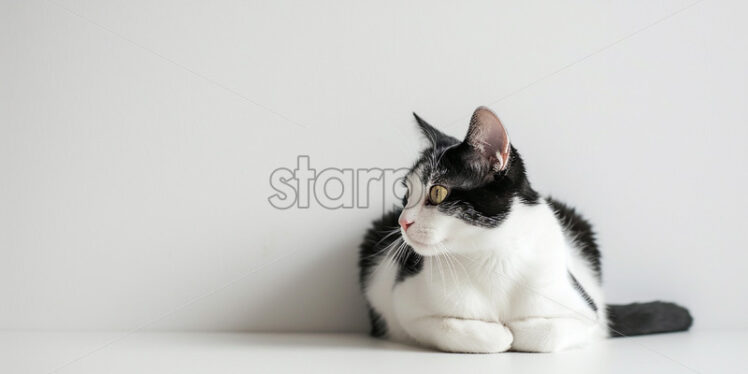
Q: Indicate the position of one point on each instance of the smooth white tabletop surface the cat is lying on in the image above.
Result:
(20, 353)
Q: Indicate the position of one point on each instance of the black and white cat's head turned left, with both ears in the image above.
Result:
(458, 191)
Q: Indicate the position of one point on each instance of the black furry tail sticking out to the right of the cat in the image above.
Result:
(647, 318)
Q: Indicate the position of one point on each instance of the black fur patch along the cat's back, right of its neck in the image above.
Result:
(580, 230)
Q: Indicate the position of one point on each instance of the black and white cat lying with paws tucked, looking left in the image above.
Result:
(478, 261)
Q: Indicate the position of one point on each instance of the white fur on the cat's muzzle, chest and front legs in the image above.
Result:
(488, 290)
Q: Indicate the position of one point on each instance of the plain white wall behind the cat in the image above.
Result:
(137, 139)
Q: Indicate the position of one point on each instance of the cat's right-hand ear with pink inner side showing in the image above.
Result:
(488, 138)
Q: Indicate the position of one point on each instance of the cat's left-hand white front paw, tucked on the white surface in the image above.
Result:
(473, 336)
